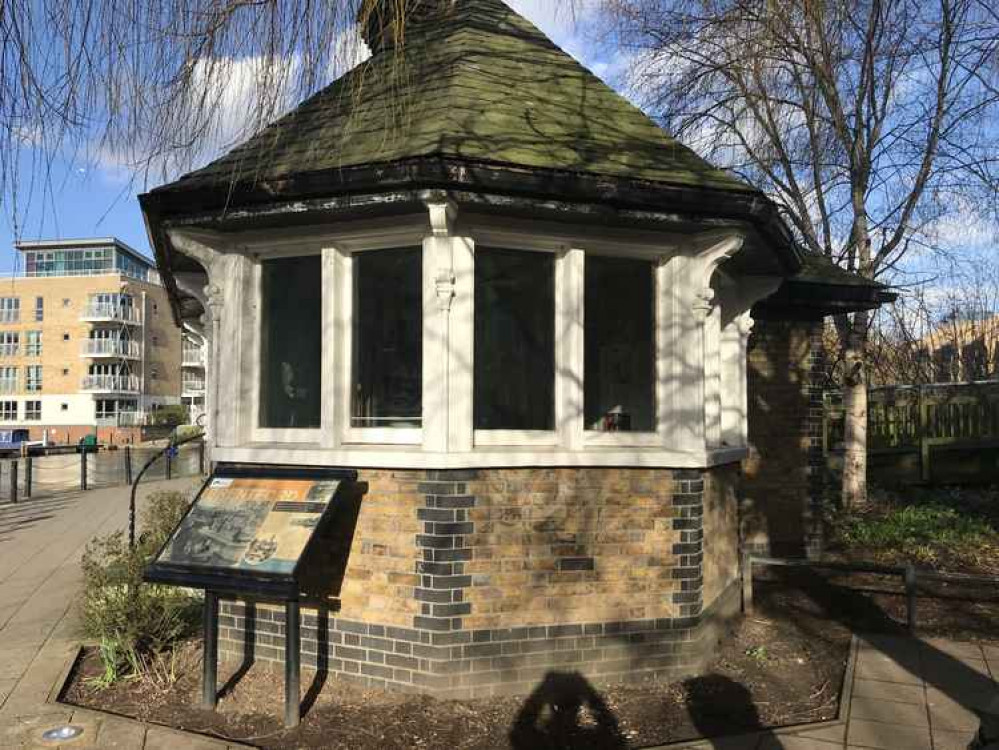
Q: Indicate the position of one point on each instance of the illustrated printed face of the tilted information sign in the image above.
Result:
(250, 524)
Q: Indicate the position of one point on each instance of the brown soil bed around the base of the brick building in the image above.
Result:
(783, 665)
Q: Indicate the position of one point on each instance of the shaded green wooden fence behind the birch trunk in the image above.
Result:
(932, 433)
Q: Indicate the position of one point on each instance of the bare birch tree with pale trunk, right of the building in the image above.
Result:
(866, 119)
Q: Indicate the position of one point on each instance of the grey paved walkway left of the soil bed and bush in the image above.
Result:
(41, 542)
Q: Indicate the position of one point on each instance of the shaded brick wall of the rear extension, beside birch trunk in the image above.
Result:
(782, 490)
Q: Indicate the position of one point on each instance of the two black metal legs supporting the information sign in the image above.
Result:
(292, 661)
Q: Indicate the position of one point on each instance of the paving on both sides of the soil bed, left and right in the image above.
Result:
(902, 694)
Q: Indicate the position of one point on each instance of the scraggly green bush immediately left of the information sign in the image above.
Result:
(135, 623)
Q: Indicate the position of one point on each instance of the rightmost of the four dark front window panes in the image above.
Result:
(620, 345)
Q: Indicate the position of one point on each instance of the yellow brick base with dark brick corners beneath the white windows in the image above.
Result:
(477, 582)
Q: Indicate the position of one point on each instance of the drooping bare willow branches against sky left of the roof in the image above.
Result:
(157, 87)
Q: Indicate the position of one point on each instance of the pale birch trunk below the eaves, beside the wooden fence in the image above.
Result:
(855, 415)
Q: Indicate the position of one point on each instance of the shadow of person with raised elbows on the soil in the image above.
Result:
(565, 713)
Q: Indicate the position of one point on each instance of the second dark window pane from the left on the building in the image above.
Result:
(387, 351)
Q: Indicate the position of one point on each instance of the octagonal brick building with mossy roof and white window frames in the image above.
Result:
(474, 273)
